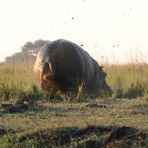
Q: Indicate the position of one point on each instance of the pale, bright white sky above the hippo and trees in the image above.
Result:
(113, 31)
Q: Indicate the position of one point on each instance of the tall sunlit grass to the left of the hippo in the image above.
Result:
(16, 82)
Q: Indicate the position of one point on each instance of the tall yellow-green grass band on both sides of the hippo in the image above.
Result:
(126, 81)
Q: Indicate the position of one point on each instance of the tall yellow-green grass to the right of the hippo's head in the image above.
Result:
(129, 80)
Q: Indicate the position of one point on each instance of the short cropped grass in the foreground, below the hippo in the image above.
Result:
(63, 124)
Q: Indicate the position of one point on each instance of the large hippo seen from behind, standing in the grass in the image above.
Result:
(63, 66)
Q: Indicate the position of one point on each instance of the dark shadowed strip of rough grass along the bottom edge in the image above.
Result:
(72, 136)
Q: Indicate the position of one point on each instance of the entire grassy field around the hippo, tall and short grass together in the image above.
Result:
(119, 121)
